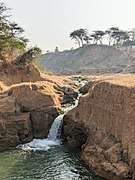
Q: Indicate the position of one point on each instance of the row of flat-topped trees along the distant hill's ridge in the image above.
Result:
(112, 36)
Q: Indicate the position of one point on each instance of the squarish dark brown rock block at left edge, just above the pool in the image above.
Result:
(16, 129)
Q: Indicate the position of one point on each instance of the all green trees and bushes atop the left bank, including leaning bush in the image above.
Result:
(13, 45)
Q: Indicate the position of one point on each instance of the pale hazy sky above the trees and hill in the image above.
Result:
(48, 23)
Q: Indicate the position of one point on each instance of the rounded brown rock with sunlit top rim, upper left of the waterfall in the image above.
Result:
(29, 98)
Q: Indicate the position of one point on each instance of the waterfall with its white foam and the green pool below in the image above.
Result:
(45, 159)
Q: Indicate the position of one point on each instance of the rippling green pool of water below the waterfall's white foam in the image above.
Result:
(56, 163)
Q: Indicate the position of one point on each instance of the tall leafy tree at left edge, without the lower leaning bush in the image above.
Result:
(11, 40)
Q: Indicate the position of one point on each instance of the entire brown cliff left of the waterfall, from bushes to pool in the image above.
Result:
(29, 102)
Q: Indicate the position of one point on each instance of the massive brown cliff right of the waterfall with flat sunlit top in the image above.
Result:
(103, 125)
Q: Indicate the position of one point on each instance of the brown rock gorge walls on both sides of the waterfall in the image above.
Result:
(101, 126)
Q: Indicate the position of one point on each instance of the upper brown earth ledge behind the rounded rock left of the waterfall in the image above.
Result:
(11, 75)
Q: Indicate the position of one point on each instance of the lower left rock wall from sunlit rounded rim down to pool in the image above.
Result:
(26, 111)
